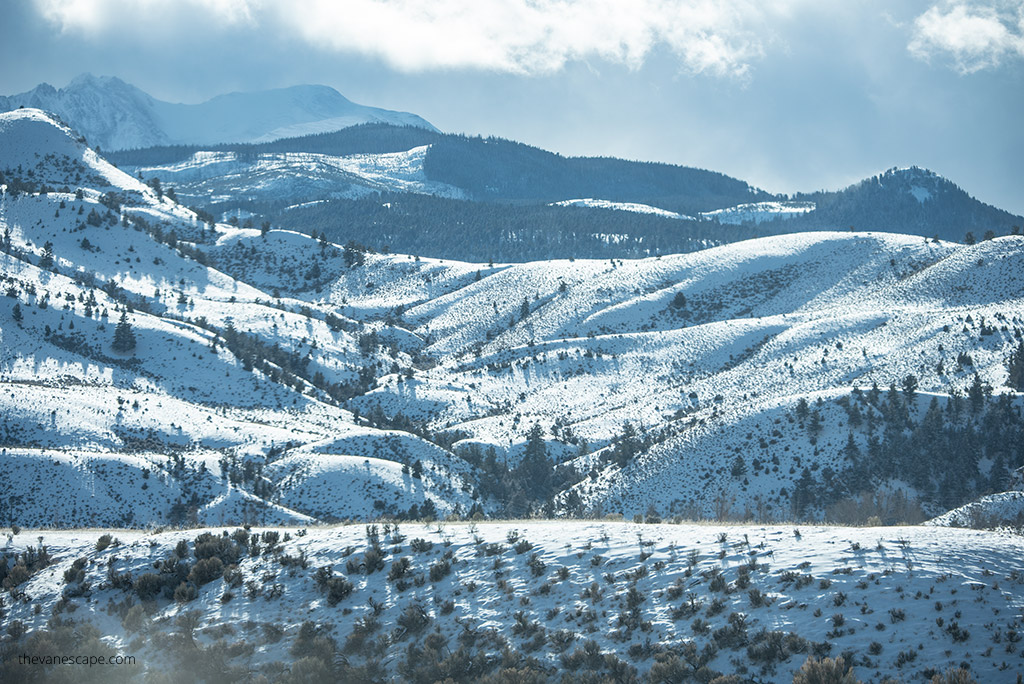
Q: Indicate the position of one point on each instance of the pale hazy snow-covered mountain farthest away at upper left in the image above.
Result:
(115, 115)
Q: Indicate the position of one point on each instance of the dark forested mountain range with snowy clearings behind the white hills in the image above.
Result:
(471, 198)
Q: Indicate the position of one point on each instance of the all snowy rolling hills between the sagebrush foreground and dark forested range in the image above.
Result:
(278, 378)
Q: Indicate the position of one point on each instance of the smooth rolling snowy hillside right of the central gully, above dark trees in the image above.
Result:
(585, 348)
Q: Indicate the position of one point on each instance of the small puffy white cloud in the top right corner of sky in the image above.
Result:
(974, 36)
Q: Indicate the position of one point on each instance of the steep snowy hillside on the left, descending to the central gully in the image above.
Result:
(224, 380)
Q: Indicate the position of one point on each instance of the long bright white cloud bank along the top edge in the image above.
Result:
(721, 38)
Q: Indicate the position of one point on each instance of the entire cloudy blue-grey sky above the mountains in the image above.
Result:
(790, 96)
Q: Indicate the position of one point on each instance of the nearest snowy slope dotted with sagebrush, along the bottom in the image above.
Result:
(526, 602)
